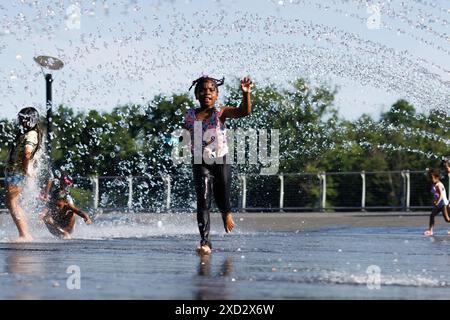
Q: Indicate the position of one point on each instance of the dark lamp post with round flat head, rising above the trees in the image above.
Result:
(49, 63)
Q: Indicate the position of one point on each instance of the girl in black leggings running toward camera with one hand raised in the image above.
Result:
(211, 172)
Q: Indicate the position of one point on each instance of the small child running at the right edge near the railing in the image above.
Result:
(440, 201)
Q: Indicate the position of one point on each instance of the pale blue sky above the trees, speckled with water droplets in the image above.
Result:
(126, 51)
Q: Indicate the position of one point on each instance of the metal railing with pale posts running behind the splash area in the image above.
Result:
(324, 191)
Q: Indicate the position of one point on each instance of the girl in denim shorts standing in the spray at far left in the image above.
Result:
(18, 166)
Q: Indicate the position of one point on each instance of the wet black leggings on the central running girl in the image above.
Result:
(211, 177)
